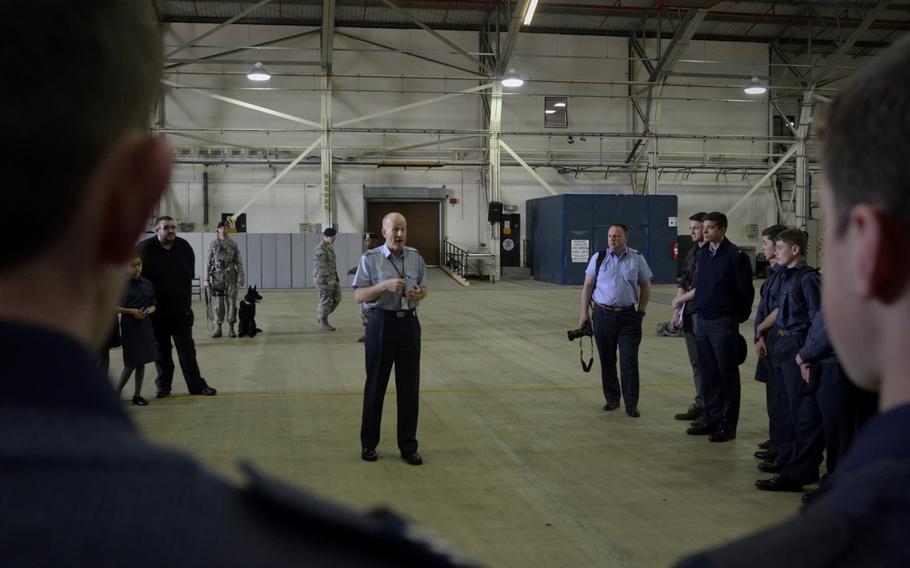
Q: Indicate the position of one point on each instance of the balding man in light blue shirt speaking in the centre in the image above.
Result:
(391, 281)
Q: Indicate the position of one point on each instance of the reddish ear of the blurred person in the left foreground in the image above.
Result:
(133, 185)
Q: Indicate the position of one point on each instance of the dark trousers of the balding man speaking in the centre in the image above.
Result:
(392, 340)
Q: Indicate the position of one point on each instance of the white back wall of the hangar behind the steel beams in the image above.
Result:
(297, 197)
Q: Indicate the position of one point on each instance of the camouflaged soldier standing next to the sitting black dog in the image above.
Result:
(224, 275)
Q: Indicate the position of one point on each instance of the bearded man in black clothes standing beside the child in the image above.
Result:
(170, 264)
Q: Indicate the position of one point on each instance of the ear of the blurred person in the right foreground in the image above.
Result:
(878, 239)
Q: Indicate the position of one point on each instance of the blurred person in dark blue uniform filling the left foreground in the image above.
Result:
(79, 484)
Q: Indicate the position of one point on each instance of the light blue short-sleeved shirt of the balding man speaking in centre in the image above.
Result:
(379, 264)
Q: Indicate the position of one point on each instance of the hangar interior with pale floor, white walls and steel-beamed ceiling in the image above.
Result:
(403, 101)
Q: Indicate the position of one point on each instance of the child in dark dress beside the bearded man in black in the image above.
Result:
(138, 337)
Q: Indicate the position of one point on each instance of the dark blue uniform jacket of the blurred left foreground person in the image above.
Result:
(80, 487)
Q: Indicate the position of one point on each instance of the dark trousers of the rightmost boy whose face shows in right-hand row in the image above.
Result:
(806, 421)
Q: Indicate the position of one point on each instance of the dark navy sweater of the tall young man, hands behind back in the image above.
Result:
(723, 285)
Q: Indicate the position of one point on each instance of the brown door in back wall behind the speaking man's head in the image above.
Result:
(424, 231)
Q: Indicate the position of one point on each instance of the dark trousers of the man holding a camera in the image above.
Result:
(622, 330)
